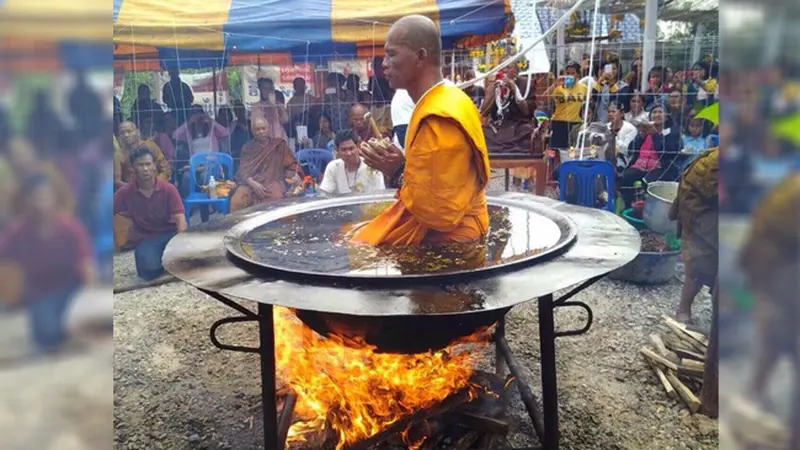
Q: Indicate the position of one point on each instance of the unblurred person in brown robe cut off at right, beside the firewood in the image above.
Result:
(697, 211)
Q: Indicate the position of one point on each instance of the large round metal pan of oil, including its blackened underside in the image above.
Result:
(309, 242)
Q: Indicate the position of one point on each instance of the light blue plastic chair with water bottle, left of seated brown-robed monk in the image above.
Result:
(220, 165)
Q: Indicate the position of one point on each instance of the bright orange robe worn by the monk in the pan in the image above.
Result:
(443, 198)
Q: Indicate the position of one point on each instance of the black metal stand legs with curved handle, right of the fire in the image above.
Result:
(545, 420)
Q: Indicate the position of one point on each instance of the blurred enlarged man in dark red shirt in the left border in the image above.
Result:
(51, 252)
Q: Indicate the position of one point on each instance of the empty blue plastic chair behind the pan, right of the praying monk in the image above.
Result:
(585, 173)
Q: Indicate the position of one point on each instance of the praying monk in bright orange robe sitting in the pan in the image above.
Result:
(443, 176)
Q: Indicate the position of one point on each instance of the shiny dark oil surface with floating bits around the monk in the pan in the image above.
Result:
(318, 242)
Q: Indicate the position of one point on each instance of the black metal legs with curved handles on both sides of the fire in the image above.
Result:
(545, 421)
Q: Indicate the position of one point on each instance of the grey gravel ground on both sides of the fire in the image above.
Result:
(174, 390)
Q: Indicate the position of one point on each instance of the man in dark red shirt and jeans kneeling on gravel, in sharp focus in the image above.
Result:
(156, 210)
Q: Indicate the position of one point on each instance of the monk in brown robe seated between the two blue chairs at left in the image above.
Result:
(266, 169)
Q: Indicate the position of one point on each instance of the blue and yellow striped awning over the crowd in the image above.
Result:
(310, 27)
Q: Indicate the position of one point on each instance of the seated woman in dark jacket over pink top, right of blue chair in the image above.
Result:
(652, 154)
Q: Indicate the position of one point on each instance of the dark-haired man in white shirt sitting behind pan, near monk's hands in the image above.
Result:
(348, 174)
